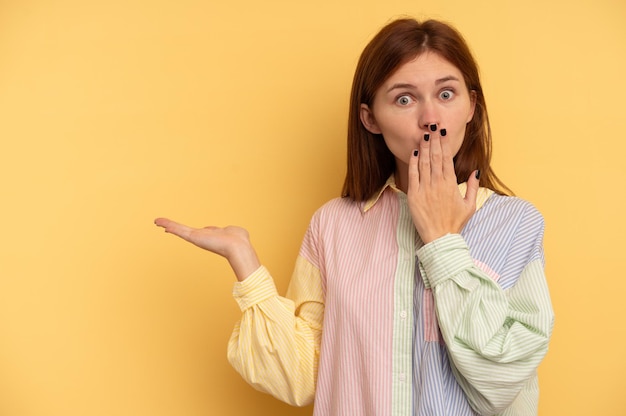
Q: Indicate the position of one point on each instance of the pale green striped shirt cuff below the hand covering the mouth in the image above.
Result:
(443, 258)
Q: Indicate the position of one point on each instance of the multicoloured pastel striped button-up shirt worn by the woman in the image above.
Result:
(377, 323)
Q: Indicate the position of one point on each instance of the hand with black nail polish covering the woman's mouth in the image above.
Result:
(436, 205)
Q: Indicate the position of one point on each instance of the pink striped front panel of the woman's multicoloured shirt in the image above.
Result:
(357, 256)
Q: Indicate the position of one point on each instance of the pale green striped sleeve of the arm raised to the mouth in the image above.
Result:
(495, 338)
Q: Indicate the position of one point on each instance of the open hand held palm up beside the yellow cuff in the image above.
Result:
(232, 243)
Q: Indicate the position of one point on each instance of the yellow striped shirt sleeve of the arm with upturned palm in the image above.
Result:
(275, 346)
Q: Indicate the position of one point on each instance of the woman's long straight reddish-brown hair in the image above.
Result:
(370, 162)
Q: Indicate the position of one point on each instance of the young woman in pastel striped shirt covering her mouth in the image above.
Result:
(418, 292)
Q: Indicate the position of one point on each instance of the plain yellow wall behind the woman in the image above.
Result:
(215, 112)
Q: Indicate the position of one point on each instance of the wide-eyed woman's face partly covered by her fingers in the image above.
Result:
(427, 90)
